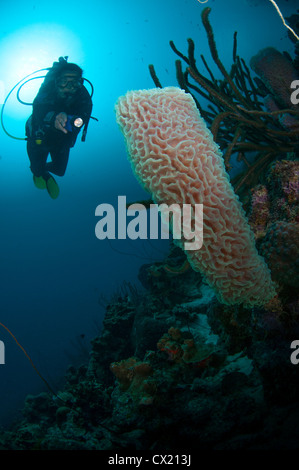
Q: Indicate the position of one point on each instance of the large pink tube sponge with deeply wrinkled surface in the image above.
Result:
(174, 156)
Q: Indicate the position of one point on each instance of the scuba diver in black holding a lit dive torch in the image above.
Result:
(60, 109)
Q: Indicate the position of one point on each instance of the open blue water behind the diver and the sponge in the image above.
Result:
(53, 268)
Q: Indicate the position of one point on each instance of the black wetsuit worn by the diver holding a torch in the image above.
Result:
(44, 139)
